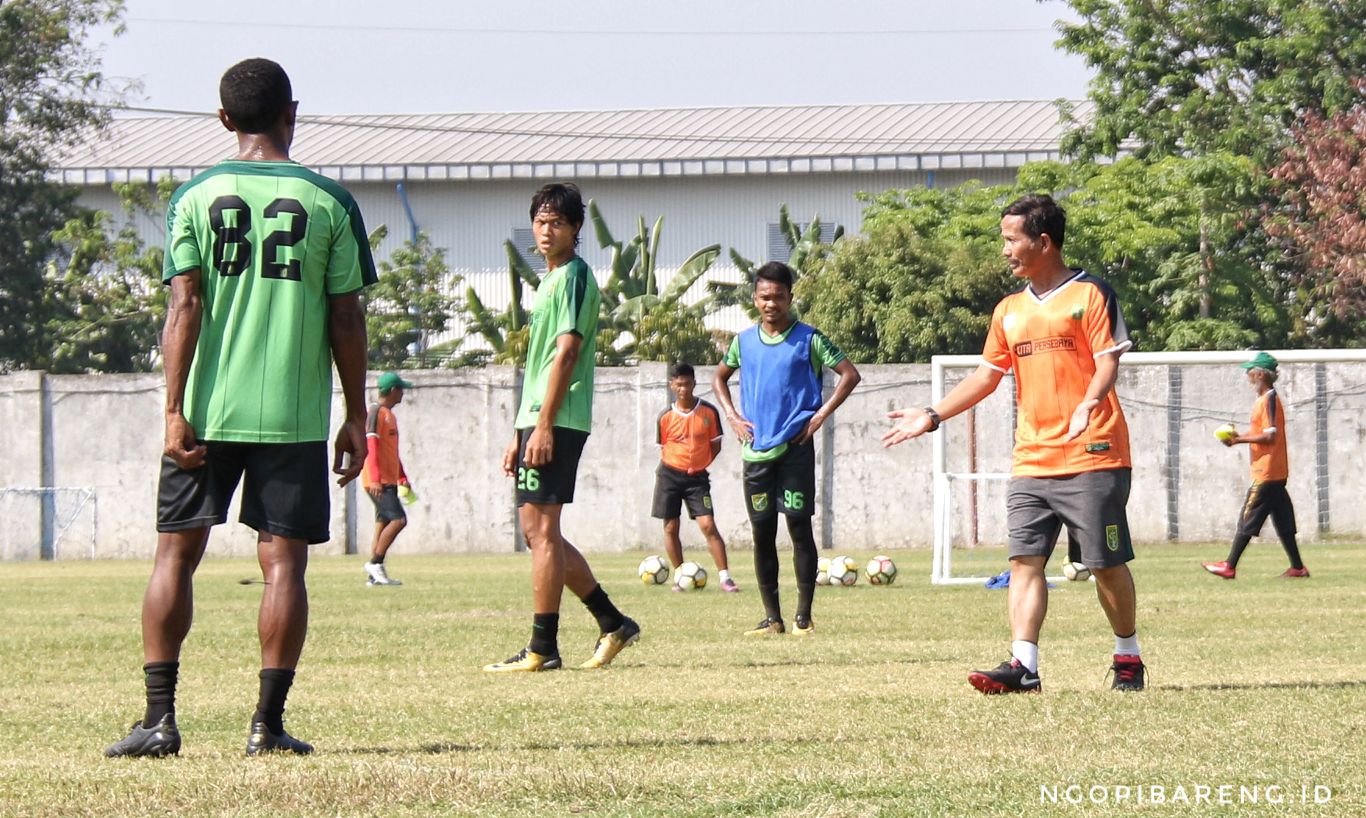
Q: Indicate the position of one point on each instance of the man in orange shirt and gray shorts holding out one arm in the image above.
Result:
(1062, 335)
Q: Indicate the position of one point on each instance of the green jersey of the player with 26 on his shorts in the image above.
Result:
(568, 301)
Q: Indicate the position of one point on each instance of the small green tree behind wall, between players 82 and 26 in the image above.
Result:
(409, 304)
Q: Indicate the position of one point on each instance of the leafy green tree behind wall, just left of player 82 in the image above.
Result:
(104, 302)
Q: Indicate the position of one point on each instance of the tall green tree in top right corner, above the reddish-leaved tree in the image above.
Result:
(1186, 77)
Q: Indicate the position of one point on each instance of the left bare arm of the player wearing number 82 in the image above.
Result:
(178, 342)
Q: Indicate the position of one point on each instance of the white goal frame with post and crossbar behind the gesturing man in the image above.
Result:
(942, 567)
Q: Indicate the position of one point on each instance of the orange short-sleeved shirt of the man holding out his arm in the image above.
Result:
(1053, 343)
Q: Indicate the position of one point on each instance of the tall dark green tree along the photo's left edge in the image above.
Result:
(51, 94)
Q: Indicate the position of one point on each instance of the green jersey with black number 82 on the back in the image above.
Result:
(273, 242)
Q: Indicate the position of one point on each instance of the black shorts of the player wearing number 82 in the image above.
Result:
(285, 494)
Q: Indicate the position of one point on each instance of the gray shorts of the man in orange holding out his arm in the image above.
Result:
(1092, 507)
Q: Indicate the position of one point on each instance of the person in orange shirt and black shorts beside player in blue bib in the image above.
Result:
(689, 434)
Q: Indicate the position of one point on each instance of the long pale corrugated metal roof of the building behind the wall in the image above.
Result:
(647, 143)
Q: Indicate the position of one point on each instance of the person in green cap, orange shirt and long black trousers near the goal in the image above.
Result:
(1271, 470)
